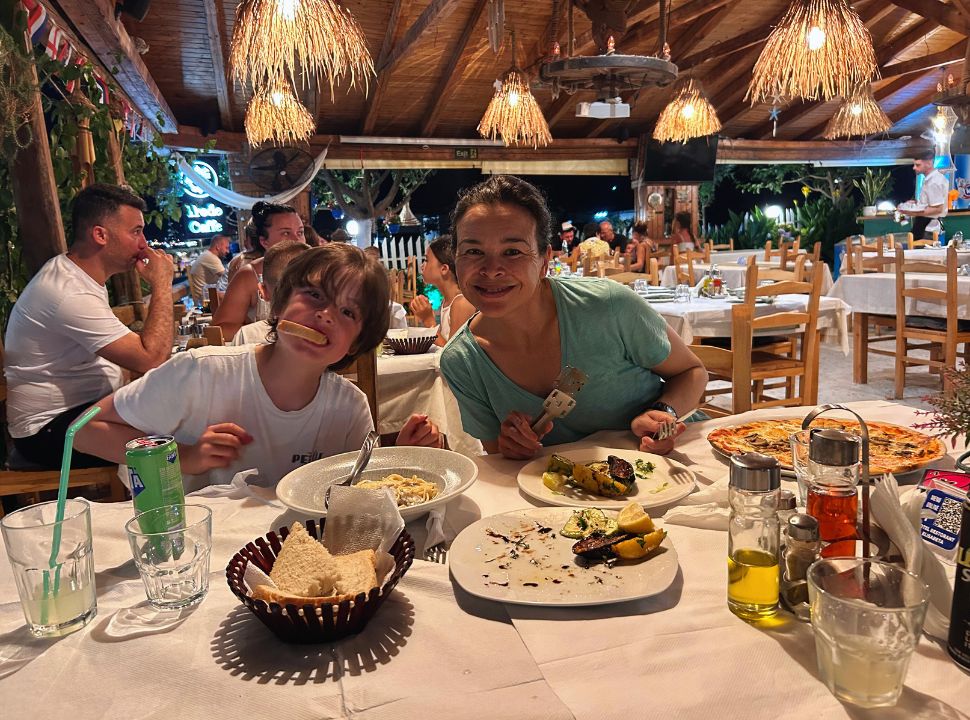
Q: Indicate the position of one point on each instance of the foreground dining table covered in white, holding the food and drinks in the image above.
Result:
(436, 650)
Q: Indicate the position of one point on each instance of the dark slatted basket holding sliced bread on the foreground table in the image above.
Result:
(309, 624)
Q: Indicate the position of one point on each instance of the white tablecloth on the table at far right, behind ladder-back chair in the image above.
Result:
(875, 293)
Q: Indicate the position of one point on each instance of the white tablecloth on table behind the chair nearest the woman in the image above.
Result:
(709, 317)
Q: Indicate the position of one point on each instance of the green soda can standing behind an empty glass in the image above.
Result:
(155, 478)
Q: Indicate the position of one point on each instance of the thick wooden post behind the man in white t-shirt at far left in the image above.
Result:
(40, 228)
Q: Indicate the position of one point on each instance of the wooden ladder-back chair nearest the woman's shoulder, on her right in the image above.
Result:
(748, 367)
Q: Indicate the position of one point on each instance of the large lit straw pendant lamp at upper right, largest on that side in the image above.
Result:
(820, 49)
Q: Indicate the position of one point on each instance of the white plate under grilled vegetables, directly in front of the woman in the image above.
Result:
(680, 481)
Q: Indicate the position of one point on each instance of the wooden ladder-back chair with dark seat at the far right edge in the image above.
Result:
(939, 335)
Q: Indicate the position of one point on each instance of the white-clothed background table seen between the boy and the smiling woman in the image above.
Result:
(409, 384)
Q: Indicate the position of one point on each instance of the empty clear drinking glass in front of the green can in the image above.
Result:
(174, 563)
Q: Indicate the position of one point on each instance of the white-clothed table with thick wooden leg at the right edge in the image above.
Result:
(875, 294)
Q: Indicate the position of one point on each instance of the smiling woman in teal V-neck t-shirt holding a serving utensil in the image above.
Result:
(505, 360)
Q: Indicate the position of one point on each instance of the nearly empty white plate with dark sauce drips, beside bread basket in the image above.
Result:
(480, 563)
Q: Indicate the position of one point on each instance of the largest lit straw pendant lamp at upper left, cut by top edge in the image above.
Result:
(298, 39)
